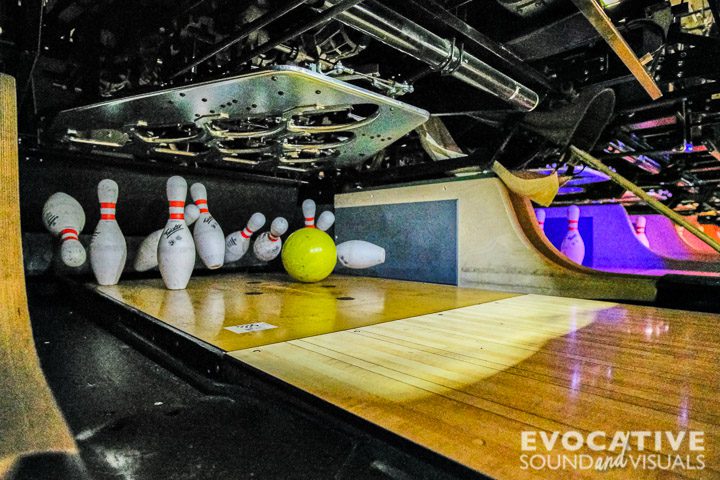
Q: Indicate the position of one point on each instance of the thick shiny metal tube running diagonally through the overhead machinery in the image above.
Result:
(394, 30)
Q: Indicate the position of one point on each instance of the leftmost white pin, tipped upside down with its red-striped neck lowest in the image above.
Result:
(64, 217)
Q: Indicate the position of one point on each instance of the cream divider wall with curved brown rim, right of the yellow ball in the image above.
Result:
(500, 246)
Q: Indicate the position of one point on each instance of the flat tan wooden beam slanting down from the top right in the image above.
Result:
(602, 23)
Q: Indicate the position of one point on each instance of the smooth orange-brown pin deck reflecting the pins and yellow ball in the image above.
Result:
(210, 304)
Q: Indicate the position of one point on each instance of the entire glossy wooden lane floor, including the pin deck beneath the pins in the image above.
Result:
(463, 372)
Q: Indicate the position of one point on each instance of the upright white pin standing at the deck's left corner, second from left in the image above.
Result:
(108, 250)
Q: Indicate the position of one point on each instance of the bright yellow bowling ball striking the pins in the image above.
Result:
(309, 255)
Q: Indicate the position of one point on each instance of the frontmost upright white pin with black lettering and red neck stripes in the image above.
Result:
(176, 249)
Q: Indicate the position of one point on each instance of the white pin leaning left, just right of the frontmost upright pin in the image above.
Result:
(209, 239)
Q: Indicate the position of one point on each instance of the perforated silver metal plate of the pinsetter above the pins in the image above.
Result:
(286, 116)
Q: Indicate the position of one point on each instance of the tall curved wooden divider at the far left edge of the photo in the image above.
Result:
(29, 418)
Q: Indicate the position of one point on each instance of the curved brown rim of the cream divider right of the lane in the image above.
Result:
(608, 285)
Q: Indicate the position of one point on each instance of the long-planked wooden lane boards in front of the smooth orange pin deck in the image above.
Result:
(465, 383)
